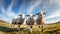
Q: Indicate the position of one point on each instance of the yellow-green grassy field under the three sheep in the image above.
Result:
(5, 28)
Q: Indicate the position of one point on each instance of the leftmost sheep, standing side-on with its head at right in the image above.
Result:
(18, 21)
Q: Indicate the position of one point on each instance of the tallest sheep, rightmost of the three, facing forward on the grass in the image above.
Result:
(40, 19)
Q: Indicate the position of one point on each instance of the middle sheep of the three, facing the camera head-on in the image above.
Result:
(30, 22)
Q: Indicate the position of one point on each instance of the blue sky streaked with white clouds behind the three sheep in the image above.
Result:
(12, 8)
